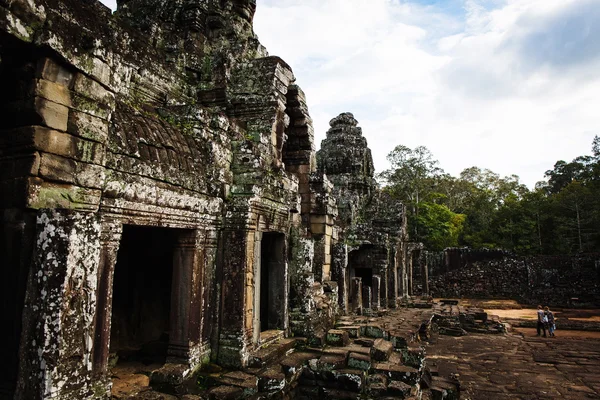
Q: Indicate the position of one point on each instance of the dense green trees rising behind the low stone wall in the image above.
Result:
(479, 208)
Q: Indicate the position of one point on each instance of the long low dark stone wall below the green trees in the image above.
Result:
(563, 281)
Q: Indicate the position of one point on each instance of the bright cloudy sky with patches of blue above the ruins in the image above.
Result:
(509, 85)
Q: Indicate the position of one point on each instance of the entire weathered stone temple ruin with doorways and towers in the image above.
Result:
(161, 194)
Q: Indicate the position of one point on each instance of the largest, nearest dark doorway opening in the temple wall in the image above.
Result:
(141, 304)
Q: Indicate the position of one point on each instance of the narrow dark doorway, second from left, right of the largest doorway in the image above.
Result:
(272, 282)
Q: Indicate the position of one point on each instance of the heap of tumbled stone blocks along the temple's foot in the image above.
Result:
(361, 358)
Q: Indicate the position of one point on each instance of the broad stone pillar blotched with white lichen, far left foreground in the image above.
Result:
(61, 307)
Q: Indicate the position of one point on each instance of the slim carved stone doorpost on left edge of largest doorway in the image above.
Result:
(111, 232)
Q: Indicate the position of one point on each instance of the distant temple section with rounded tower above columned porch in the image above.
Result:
(369, 262)
